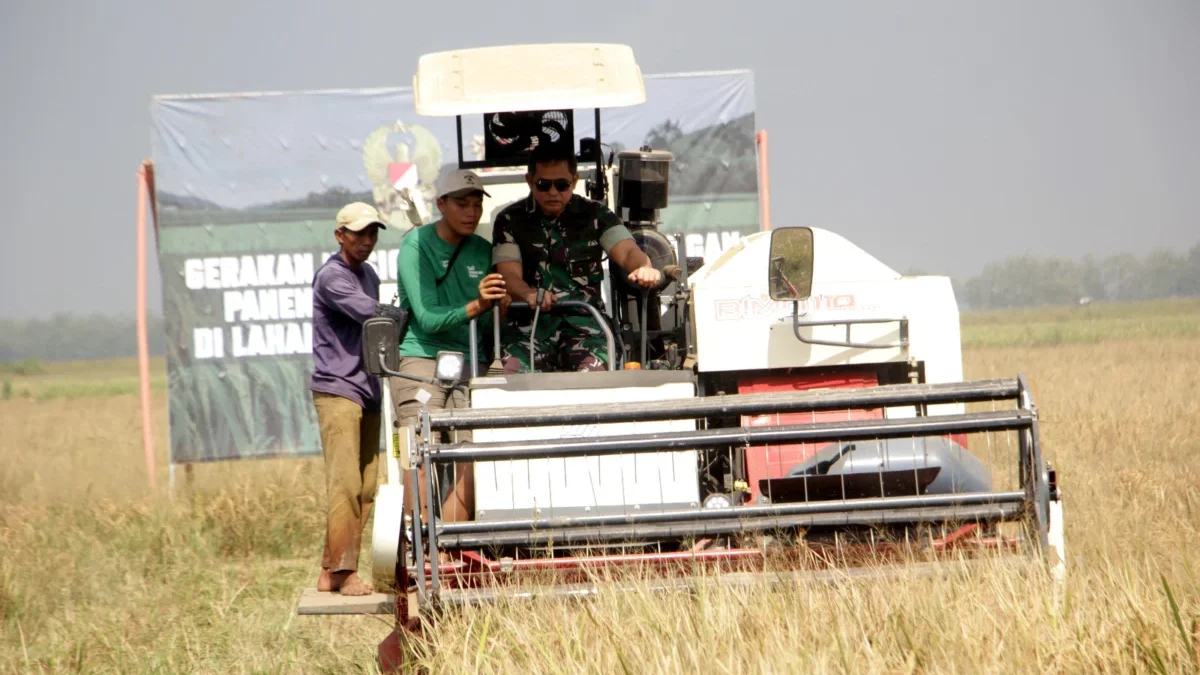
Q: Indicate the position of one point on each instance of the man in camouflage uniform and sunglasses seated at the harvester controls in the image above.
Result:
(555, 241)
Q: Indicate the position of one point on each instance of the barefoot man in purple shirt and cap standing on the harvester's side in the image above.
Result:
(349, 401)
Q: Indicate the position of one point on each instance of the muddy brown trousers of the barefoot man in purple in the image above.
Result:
(350, 439)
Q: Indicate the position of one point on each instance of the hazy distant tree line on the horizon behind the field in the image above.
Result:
(1023, 282)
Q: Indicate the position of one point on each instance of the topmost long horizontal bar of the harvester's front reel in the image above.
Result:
(889, 396)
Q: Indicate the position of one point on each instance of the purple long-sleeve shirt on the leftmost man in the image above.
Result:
(341, 301)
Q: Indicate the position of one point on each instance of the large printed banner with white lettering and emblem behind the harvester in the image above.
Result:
(248, 189)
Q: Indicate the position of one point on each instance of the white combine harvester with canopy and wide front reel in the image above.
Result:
(791, 407)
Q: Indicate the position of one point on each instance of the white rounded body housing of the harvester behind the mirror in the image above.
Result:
(741, 330)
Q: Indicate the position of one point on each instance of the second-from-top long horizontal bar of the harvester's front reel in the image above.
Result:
(854, 431)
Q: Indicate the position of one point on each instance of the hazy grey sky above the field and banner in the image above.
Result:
(938, 135)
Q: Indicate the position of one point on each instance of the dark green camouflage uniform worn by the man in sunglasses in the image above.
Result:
(561, 255)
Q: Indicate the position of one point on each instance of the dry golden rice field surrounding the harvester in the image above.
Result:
(99, 576)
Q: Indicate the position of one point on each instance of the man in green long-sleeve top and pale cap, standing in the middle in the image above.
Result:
(445, 283)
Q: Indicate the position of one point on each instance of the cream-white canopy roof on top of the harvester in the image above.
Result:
(527, 77)
